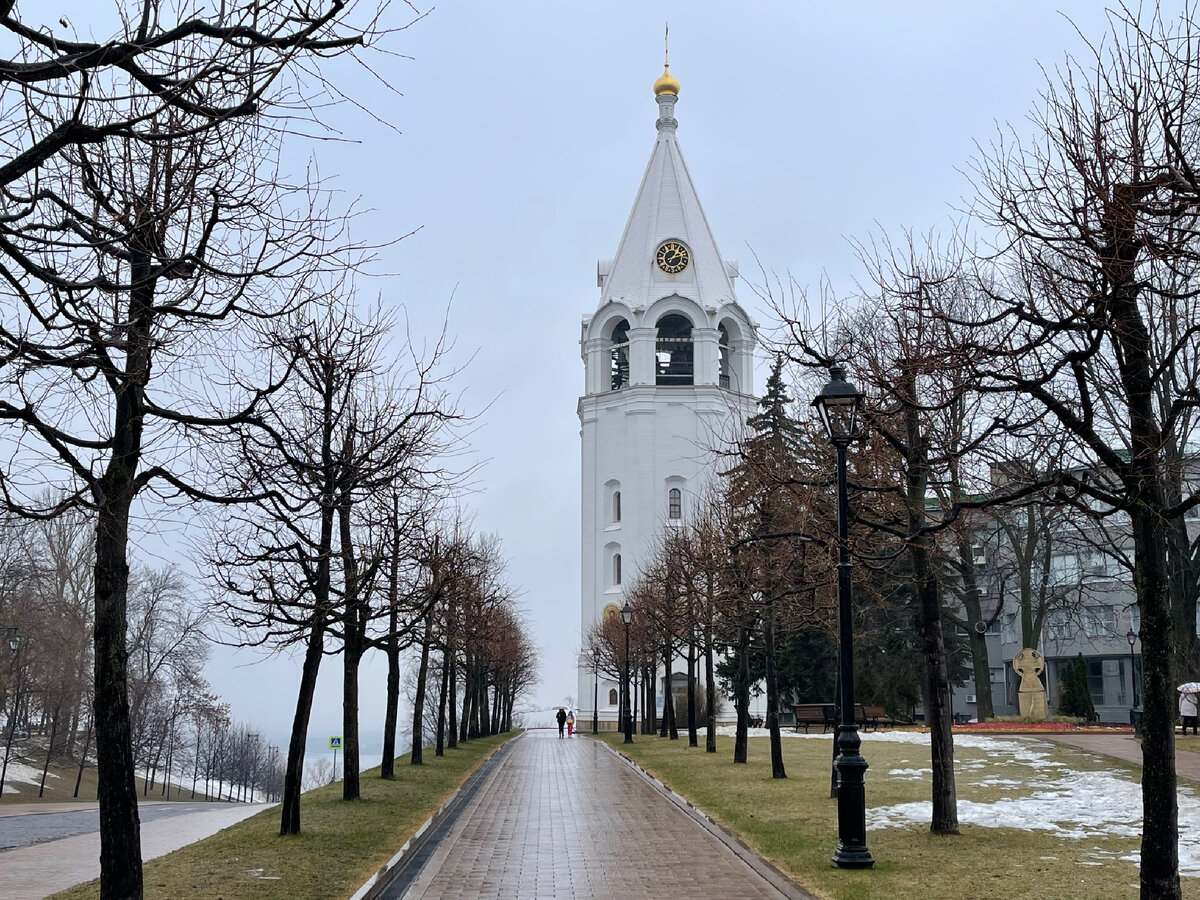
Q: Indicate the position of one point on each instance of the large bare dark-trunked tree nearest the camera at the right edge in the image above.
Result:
(1097, 218)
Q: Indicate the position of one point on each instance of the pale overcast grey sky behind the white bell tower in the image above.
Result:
(521, 137)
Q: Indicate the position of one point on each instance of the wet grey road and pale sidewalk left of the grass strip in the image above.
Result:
(38, 869)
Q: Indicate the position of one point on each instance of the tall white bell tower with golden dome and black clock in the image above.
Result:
(669, 379)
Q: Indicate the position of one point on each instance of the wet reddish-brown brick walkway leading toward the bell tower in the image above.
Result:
(568, 819)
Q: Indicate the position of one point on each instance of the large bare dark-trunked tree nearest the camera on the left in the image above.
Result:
(145, 231)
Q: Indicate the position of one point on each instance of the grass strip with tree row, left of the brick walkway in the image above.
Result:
(343, 844)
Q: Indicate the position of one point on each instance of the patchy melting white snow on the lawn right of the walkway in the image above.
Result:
(1075, 806)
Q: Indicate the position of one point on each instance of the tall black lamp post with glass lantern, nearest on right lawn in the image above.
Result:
(838, 406)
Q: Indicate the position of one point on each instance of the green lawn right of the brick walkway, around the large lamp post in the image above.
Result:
(793, 823)
